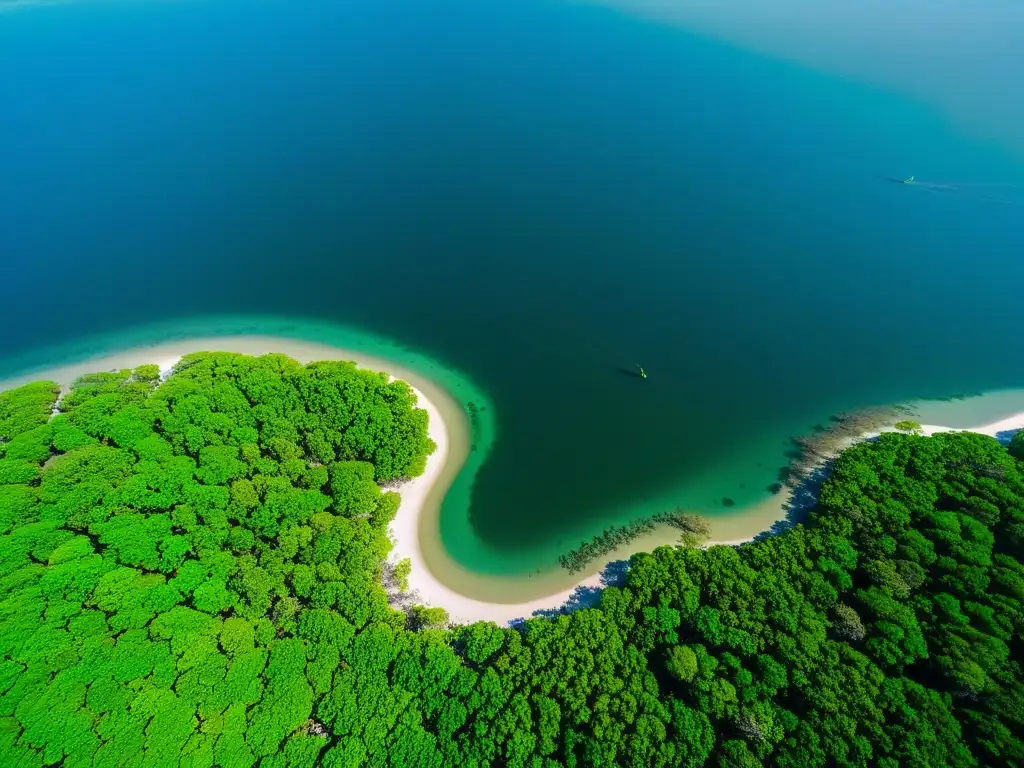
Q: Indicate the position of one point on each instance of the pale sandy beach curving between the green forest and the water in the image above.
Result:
(437, 580)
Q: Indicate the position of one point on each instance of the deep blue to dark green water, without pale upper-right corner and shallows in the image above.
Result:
(540, 194)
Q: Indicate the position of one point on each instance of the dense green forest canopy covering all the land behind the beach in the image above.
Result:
(191, 575)
